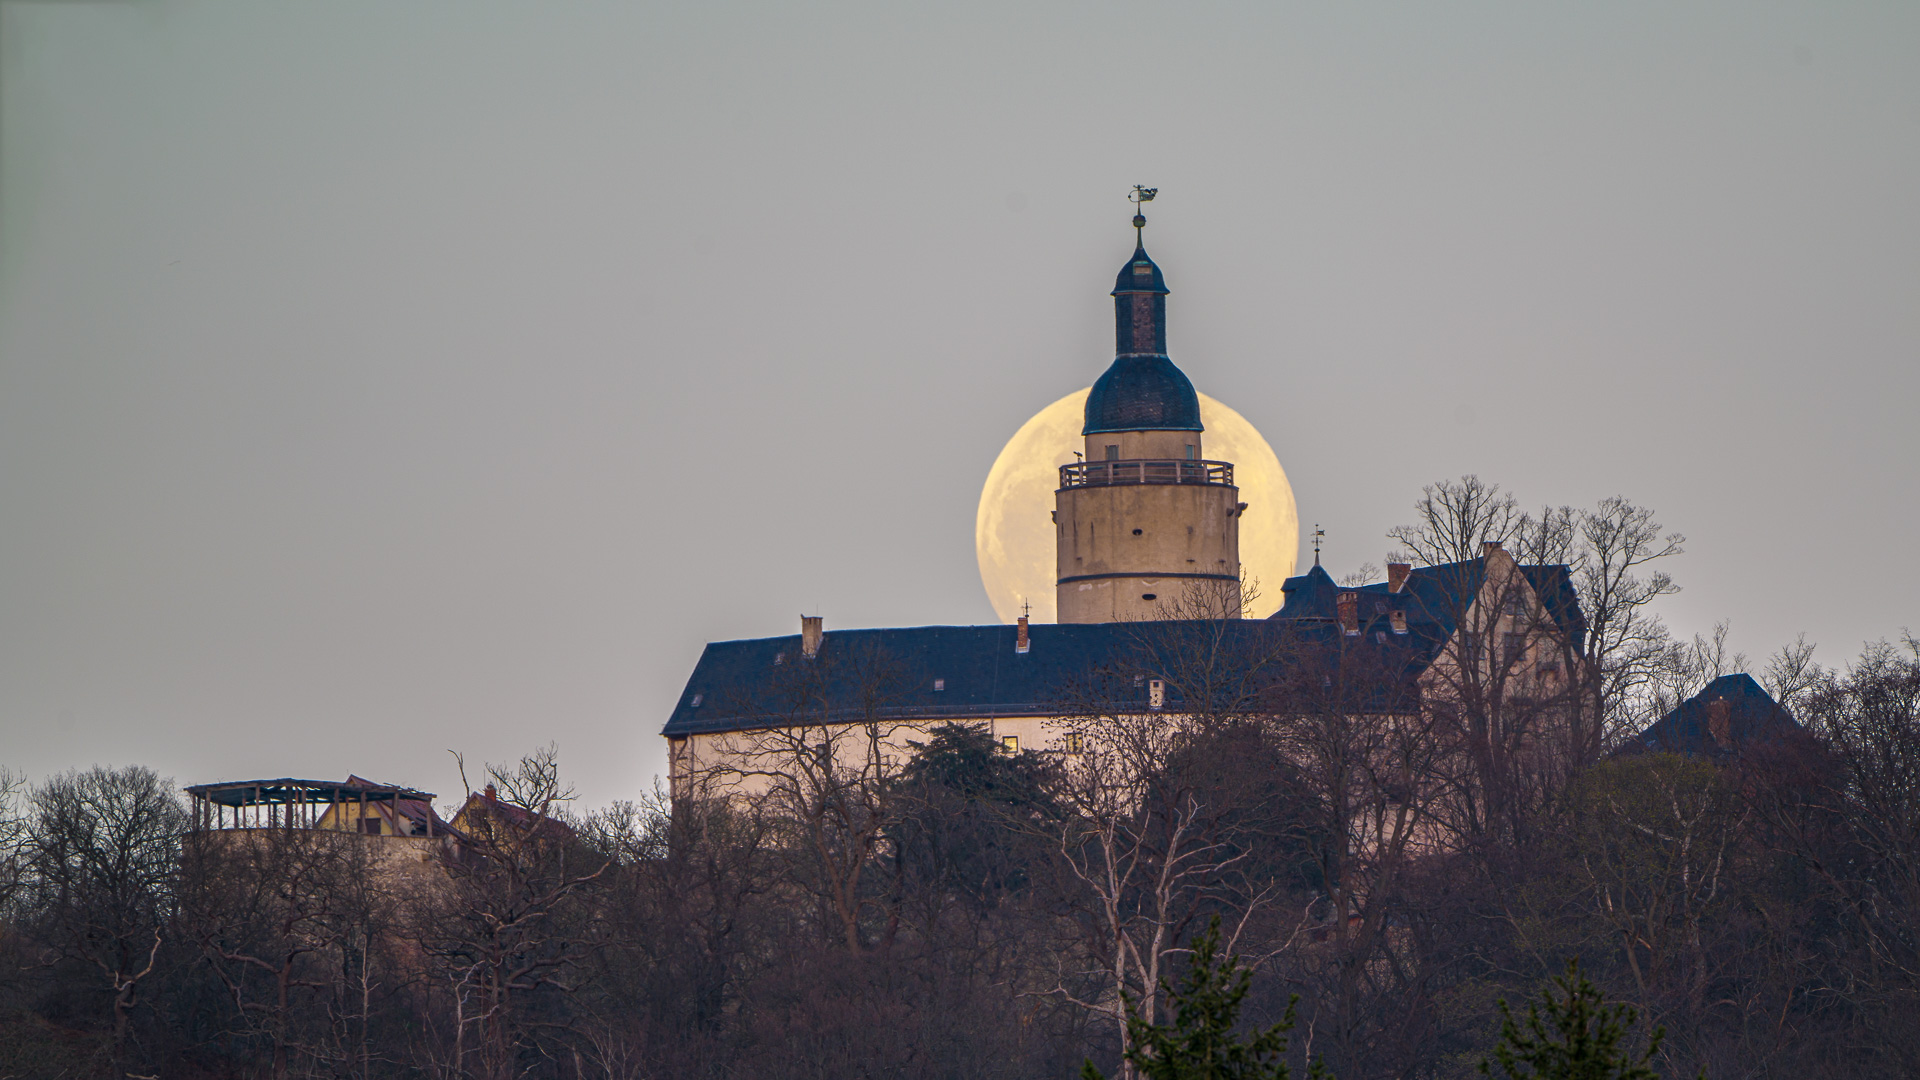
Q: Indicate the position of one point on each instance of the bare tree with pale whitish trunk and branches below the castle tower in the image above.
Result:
(1164, 800)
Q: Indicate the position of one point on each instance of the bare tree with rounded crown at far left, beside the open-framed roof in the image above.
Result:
(101, 858)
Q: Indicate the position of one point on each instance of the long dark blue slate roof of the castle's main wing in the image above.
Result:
(750, 683)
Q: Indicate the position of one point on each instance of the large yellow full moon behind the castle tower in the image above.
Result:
(1015, 533)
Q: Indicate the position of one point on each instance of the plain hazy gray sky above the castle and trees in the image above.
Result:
(387, 380)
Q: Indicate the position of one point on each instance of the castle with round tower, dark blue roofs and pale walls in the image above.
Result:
(1147, 541)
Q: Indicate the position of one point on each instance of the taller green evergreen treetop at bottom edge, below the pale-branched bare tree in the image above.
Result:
(1201, 1043)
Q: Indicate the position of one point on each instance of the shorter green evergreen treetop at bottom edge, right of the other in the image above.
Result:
(1572, 1037)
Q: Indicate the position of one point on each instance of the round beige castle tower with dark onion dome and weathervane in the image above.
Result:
(1145, 522)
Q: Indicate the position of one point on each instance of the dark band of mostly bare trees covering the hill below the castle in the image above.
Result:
(1389, 858)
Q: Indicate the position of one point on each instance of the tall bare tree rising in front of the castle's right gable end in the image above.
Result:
(1602, 647)
